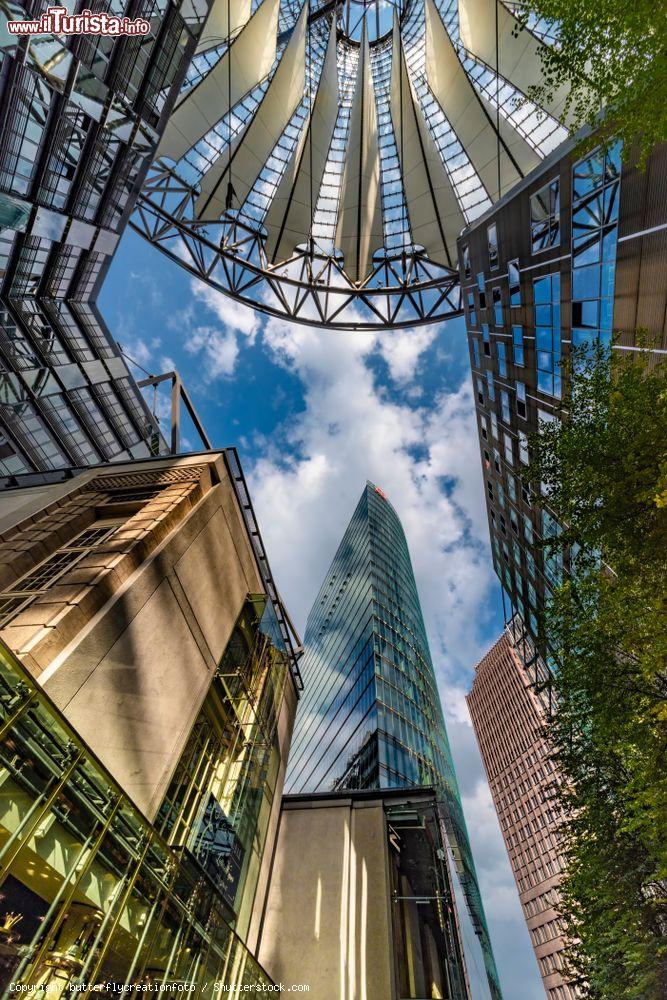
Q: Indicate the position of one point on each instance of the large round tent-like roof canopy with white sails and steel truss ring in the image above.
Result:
(320, 160)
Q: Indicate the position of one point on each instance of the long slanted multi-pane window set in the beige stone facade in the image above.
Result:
(39, 580)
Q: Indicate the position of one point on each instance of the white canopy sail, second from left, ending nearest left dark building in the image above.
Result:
(252, 54)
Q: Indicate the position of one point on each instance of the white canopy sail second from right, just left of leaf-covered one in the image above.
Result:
(473, 120)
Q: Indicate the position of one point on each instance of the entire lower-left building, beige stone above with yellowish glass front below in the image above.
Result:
(148, 688)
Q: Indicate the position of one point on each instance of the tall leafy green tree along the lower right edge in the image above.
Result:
(602, 472)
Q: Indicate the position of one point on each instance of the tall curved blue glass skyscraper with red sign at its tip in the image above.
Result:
(371, 716)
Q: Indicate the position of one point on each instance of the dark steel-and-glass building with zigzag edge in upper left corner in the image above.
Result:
(81, 117)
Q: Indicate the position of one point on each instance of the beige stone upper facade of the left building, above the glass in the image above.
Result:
(127, 638)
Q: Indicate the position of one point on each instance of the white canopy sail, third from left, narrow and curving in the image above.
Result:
(252, 148)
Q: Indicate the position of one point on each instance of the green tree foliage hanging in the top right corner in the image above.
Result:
(613, 54)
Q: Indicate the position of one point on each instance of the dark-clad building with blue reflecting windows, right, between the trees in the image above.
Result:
(573, 253)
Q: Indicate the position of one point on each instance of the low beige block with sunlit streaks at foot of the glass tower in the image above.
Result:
(360, 902)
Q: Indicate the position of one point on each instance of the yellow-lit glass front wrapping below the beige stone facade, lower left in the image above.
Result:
(94, 894)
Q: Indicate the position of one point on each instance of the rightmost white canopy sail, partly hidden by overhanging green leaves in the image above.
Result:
(518, 57)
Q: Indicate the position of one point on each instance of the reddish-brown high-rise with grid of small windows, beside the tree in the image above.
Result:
(509, 719)
